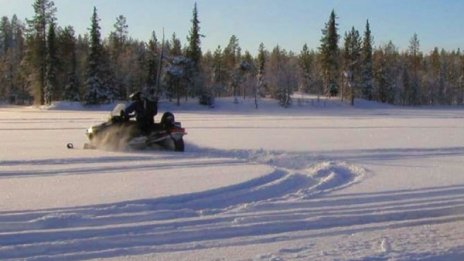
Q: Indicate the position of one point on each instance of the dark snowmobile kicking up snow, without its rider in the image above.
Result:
(120, 132)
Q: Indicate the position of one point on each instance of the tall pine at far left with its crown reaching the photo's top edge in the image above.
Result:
(44, 15)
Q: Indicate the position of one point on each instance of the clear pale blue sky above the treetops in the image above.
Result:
(287, 23)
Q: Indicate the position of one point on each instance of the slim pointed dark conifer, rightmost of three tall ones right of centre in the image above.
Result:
(367, 71)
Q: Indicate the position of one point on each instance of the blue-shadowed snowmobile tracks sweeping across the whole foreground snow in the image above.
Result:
(259, 209)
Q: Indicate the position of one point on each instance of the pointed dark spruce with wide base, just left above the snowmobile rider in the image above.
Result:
(96, 91)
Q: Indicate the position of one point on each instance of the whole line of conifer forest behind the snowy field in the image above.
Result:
(41, 62)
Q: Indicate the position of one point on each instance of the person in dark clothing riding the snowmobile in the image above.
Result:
(144, 109)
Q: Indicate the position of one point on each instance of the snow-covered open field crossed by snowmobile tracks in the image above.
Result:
(317, 181)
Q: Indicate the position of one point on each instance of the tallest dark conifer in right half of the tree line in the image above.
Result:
(329, 56)
